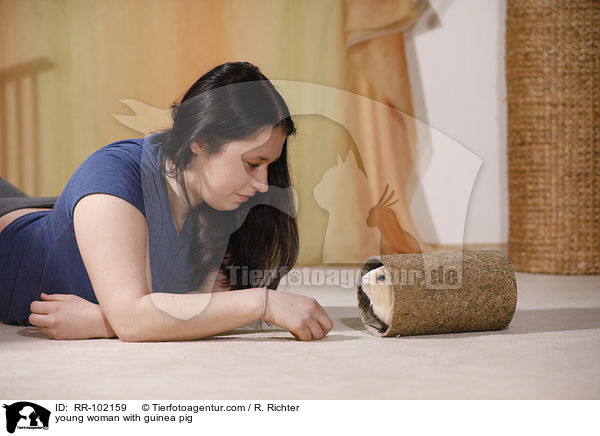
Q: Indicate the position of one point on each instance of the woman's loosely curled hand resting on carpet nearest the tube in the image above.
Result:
(302, 316)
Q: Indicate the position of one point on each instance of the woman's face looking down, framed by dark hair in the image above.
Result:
(228, 178)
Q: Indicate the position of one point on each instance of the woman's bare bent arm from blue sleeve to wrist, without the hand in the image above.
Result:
(112, 238)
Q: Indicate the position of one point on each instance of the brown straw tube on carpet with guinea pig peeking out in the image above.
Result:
(438, 292)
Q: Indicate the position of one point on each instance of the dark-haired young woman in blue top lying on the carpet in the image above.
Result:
(148, 232)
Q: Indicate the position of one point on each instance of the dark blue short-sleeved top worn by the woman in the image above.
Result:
(39, 252)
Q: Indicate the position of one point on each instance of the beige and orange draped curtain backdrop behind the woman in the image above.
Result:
(77, 75)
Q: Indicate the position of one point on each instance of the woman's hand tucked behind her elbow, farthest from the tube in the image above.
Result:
(68, 316)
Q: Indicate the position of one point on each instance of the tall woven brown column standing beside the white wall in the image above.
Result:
(553, 98)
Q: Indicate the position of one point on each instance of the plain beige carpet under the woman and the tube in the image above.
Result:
(551, 350)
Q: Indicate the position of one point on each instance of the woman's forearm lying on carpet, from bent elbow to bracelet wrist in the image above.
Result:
(161, 316)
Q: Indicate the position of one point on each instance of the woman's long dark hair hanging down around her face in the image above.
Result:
(231, 102)
